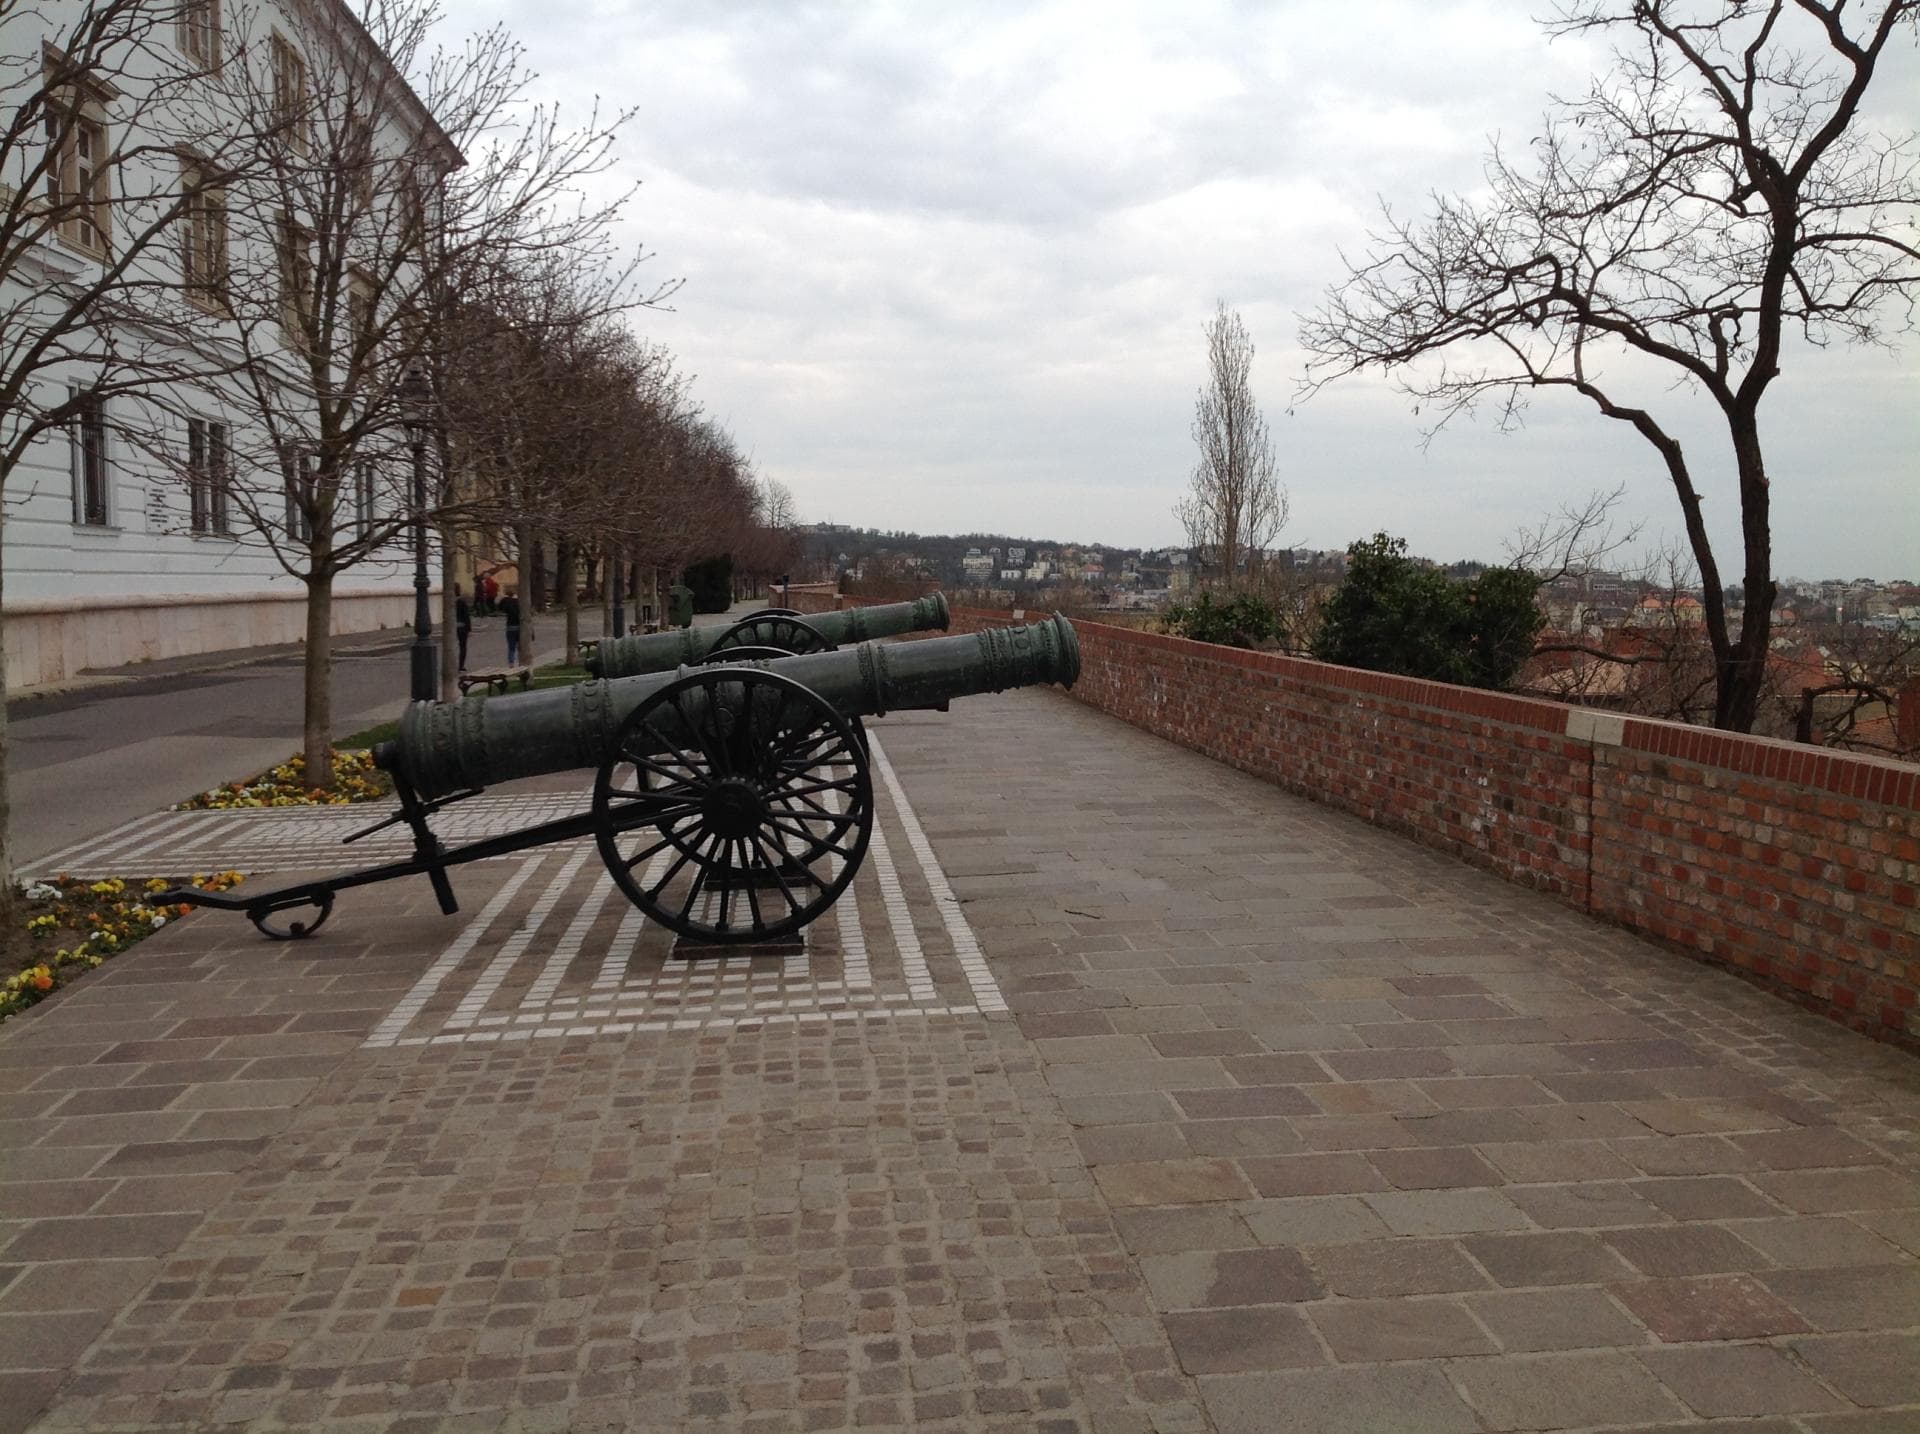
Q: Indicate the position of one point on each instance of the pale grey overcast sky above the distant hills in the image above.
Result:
(948, 266)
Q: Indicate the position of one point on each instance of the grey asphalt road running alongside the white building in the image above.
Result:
(99, 755)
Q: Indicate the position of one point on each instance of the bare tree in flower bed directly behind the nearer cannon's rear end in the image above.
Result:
(368, 204)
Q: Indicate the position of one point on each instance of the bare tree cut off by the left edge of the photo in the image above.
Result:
(107, 151)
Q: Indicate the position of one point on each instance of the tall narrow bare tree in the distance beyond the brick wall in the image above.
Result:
(1236, 506)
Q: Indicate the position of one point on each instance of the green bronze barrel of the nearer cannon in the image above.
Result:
(446, 748)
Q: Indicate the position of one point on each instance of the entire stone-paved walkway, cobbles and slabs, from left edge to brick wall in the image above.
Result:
(1285, 1126)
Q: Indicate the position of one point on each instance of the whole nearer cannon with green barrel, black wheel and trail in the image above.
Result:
(732, 803)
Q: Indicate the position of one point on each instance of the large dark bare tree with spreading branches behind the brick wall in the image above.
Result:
(1710, 197)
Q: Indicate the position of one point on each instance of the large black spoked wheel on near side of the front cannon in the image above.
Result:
(736, 805)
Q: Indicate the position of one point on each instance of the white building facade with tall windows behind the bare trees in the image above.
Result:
(147, 527)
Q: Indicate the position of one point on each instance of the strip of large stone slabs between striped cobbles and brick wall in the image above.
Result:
(1401, 1147)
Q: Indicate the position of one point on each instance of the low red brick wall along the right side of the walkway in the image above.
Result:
(1796, 867)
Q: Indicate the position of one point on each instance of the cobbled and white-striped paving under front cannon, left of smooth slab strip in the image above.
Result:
(546, 1170)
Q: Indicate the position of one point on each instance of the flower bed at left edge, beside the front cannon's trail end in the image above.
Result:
(74, 926)
